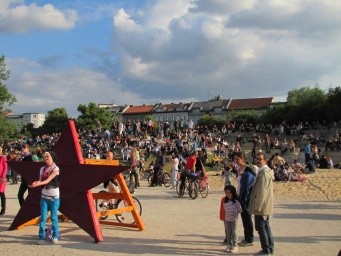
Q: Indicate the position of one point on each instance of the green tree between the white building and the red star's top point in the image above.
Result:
(55, 121)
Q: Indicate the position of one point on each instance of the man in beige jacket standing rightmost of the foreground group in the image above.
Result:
(261, 204)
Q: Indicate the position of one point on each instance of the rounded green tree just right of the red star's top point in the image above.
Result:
(93, 117)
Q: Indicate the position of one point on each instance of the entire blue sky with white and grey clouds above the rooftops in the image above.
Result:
(65, 53)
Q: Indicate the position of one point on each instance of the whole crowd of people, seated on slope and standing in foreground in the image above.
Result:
(187, 149)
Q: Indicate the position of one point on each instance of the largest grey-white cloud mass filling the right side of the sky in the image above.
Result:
(252, 49)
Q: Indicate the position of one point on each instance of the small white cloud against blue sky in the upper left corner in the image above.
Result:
(22, 18)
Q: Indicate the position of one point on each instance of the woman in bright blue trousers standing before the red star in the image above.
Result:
(49, 178)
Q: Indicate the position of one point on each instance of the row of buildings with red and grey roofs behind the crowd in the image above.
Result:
(162, 113)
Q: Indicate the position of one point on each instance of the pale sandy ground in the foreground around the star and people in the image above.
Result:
(307, 221)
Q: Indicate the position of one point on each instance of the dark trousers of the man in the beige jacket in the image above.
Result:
(265, 235)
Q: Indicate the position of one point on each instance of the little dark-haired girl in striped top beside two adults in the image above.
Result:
(229, 211)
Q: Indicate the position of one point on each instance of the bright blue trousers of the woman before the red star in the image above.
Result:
(45, 206)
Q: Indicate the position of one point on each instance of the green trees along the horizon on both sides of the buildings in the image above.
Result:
(306, 104)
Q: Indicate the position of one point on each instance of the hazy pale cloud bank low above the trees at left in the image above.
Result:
(40, 90)
